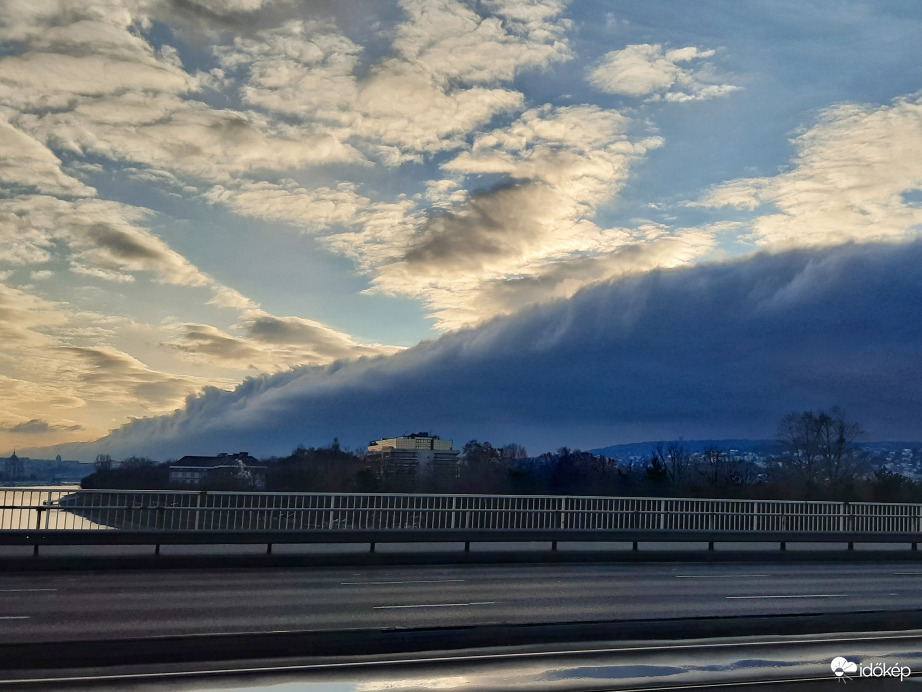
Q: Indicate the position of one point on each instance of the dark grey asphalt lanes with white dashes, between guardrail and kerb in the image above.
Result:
(62, 606)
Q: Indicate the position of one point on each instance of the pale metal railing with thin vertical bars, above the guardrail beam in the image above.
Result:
(191, 511)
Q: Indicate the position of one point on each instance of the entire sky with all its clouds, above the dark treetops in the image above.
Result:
(252, 223)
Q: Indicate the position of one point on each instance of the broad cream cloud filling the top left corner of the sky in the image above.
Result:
(87, 81)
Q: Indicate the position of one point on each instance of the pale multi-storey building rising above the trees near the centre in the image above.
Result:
(415, 455)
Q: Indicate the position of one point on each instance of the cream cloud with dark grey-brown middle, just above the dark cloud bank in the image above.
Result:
(558, 166)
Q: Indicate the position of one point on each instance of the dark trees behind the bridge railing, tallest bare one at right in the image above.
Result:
(820, 459)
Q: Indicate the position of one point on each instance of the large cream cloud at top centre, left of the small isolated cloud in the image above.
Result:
(438, 87)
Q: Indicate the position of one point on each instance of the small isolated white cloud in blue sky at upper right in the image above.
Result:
(646, 70)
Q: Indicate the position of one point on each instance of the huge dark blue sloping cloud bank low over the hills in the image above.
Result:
(713, 351)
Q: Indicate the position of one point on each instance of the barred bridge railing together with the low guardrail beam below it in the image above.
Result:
(32, 516)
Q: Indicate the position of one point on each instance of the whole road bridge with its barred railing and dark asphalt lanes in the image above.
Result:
(756, 618)
